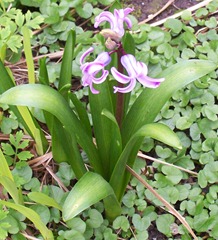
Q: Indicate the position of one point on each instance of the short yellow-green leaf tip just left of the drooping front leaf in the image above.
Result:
(43, 199)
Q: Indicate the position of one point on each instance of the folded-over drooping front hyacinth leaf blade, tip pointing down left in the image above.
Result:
(90, 189)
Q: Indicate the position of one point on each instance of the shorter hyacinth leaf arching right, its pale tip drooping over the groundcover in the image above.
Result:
(157, 131)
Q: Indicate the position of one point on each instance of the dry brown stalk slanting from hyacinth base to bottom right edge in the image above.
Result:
(166, 204)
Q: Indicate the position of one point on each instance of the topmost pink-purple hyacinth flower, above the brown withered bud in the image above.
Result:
(116, 20)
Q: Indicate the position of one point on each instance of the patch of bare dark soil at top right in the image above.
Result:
(144, 8)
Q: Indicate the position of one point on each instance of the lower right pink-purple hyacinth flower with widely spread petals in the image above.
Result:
(136, 71)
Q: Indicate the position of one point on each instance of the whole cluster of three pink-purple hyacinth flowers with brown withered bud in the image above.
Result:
(136, 70)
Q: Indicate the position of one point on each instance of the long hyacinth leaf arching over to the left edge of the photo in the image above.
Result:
(48, 99)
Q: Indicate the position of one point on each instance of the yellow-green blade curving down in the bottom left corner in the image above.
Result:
(32, 216)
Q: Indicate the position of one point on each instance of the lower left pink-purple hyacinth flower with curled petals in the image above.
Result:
(91, 69)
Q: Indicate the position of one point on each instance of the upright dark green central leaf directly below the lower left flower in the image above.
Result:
(105, 133)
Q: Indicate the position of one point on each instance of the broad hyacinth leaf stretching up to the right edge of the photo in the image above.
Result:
(151, 101)
